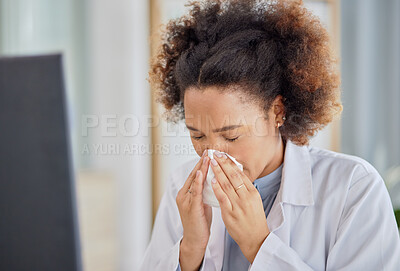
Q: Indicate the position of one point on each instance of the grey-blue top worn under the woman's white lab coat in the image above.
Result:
(268, 187)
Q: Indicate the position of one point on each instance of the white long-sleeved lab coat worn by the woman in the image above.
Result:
(332, 212)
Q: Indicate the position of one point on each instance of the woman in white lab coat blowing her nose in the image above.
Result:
(257, 80)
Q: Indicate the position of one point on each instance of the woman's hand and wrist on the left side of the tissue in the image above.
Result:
(195, 215)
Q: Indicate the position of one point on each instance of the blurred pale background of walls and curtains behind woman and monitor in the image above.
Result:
(123, 151)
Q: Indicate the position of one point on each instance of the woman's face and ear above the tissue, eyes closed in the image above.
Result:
(223, 121)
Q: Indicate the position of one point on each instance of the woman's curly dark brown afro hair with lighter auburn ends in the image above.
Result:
(268, 48)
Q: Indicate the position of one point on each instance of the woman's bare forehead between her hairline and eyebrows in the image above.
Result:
(221, 106)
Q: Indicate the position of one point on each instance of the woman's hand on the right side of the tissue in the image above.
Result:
(242, 210)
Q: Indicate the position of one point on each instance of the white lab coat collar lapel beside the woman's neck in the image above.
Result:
(296, 183)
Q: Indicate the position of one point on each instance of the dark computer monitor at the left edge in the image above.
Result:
(38, 214)
